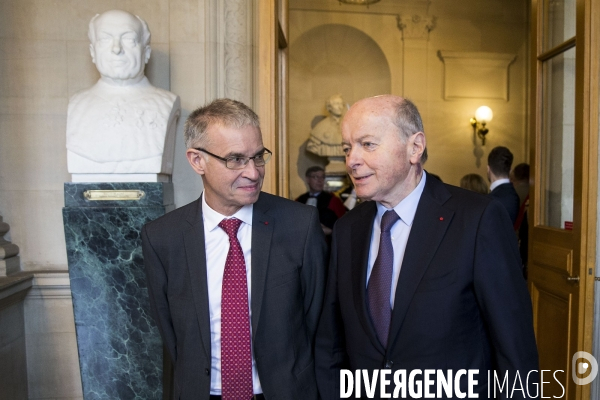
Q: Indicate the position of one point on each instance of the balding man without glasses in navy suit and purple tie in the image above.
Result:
(424, 275)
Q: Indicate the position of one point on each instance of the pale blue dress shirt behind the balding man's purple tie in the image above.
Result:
(406, 210)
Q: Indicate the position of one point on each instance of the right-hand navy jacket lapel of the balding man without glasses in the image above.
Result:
(428, 229)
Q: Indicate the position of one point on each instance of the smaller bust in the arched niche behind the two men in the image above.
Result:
(326, 137)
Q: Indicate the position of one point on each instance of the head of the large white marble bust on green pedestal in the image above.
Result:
(120, 46)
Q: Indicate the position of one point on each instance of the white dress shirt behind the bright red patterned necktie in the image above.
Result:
(216, 244)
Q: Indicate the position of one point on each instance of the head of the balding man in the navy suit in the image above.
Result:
(384, 144)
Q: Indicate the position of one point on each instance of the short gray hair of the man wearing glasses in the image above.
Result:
(226, 112)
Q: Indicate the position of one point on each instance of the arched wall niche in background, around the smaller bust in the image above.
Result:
(328, 59)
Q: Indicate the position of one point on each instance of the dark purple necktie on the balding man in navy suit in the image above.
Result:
(380, 281)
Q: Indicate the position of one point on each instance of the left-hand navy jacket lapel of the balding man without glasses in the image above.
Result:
(361, 241)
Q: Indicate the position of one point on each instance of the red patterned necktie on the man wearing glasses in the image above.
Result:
(236, 353)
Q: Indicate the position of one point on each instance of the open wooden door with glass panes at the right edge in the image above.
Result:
(564, 130)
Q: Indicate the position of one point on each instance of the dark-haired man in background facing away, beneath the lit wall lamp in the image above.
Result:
(499, 163)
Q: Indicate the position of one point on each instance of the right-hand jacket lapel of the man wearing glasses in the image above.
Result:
(262, 232)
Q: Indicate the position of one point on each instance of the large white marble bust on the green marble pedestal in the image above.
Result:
(122, 128)
